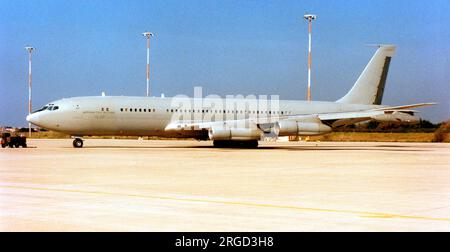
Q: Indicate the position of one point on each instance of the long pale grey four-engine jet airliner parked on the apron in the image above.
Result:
(244, 126)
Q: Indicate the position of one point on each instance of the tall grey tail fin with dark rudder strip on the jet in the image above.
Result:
(369, 87)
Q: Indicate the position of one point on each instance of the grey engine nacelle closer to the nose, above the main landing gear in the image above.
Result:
(239, 134)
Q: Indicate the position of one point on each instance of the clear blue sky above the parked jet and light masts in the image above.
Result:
(228, 47)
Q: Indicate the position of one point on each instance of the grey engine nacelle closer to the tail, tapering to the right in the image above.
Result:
(289, 128)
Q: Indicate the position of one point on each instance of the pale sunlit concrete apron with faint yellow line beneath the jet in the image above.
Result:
(142, 185)
